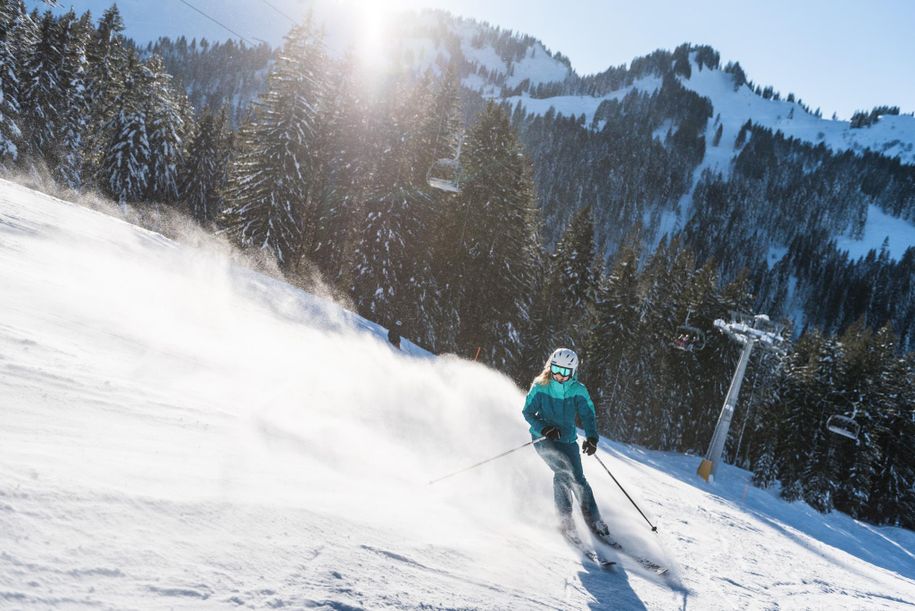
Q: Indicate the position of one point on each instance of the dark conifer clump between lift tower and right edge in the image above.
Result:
(859, 375)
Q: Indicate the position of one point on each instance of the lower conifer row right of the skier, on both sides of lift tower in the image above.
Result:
(648, 392)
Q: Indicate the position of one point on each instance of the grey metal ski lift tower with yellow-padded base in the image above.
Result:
(749, 332)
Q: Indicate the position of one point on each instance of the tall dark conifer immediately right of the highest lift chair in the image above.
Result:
(495, 252)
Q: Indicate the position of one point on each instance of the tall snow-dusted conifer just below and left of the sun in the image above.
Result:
(272, 182)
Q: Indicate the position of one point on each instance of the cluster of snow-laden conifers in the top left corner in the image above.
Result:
(78, 100)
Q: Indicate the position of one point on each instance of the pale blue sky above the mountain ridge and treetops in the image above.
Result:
(838, 55)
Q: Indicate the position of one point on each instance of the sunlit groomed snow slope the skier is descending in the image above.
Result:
(178, 431)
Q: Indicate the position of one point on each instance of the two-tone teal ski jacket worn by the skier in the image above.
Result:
(557, 404)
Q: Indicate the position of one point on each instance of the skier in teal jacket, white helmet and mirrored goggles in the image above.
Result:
(555, 398)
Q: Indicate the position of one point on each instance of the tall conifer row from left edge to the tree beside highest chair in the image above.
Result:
(322, 175)
